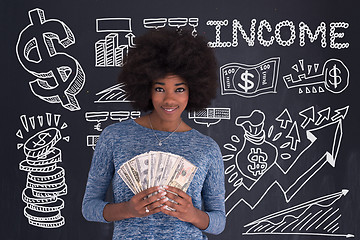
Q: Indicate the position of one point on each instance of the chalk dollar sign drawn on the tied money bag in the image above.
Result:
(258, 159)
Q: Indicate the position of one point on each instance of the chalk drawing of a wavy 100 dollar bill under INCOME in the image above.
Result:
(250, 80)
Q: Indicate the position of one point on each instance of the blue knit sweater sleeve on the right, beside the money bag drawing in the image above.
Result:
(214, 193)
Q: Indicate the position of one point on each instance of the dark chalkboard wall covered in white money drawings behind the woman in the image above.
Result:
(286, 115)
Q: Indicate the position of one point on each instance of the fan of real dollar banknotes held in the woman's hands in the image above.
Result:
(157, 169)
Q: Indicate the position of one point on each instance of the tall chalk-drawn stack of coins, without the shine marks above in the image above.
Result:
(45, 180)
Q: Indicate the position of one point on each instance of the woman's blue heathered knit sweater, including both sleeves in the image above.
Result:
(119, 143)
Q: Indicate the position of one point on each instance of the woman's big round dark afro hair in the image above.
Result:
(166, 51)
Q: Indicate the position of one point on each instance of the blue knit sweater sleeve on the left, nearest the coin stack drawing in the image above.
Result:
(99, 178)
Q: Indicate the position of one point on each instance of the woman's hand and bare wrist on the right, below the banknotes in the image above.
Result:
(183, 208)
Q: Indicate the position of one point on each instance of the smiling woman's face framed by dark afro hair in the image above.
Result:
(169, 96)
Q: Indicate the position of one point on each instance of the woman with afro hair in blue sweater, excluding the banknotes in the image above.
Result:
(168, 72)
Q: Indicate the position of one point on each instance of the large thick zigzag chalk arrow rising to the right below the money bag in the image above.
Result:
(304, 167)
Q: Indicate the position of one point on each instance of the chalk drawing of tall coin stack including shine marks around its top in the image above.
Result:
(45, 182)
